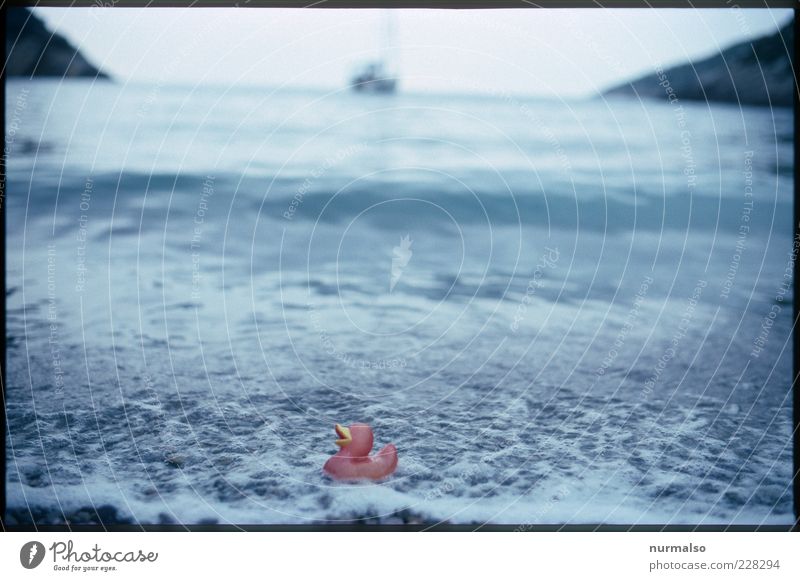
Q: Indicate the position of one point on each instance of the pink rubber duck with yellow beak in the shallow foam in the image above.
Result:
(353, 461)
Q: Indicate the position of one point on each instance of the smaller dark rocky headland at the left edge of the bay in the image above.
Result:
(32, 50)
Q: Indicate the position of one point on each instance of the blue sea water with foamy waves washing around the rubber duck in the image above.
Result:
(559, 311)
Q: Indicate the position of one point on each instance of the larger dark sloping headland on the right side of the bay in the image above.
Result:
(755, 72)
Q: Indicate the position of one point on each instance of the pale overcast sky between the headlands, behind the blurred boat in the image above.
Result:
(538, 52)
